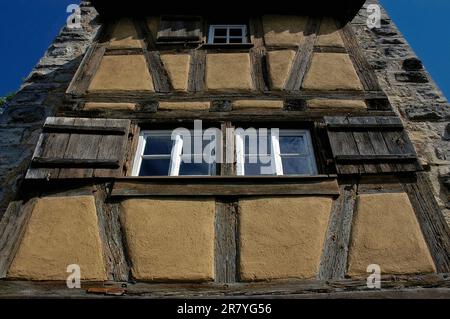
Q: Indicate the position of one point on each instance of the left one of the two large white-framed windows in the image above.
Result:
(162, 153)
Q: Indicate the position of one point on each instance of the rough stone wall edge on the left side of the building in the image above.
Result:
(40, 95)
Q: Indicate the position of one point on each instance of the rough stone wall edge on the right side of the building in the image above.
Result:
(413, 94)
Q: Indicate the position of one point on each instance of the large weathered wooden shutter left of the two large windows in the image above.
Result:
(80, 148)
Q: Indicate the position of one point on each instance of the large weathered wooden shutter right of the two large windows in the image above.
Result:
(365, 145)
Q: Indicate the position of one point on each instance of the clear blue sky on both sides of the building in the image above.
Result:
(27, 28)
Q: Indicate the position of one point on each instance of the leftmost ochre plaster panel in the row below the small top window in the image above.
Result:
(122, 73)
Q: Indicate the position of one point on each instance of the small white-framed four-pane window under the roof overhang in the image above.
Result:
(227, 34)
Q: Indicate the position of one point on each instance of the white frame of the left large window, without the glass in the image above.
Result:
(175, 156)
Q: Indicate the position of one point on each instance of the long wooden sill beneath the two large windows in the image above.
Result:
(322, 185)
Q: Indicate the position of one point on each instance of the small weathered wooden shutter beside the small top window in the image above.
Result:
(180, 29)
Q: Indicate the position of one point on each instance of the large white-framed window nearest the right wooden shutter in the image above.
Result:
(274, 152)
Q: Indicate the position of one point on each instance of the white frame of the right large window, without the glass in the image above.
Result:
(276, 152)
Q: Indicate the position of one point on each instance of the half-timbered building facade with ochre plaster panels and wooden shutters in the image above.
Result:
(202, 153)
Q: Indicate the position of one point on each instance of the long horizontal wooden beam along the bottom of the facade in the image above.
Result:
(435, 286)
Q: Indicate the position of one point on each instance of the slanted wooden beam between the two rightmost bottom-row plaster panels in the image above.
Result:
(333, 264)
